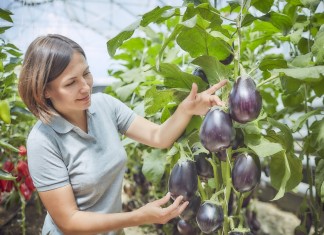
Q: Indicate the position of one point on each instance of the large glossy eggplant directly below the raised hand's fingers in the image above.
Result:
(216, 130)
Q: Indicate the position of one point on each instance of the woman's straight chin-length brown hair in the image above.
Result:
(45, 59)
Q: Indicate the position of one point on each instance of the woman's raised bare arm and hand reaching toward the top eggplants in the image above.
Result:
(163, 136)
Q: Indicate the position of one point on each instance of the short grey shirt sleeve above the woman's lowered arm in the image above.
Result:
(45, 163)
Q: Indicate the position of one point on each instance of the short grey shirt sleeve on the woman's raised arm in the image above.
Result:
(123, 115)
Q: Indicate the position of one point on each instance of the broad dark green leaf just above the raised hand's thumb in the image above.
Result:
(175, 78)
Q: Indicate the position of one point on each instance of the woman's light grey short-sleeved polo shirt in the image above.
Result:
(92, 163)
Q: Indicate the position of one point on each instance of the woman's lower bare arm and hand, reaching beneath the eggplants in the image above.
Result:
(61, 205)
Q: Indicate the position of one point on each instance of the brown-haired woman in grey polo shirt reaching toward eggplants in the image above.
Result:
(75, 155)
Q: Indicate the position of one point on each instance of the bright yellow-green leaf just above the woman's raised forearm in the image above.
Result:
(156, 100)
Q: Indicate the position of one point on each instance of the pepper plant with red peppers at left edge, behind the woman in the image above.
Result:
(16, 185)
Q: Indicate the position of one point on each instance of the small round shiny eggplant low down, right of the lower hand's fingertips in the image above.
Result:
(210, 217)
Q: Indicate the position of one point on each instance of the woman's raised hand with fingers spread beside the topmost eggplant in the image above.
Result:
(199, 103)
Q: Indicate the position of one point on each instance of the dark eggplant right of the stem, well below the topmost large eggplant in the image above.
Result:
(246, 172)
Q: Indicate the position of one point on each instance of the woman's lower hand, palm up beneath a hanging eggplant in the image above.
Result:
(154, 213)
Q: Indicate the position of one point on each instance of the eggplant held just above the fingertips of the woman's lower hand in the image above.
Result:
(183, 180)
